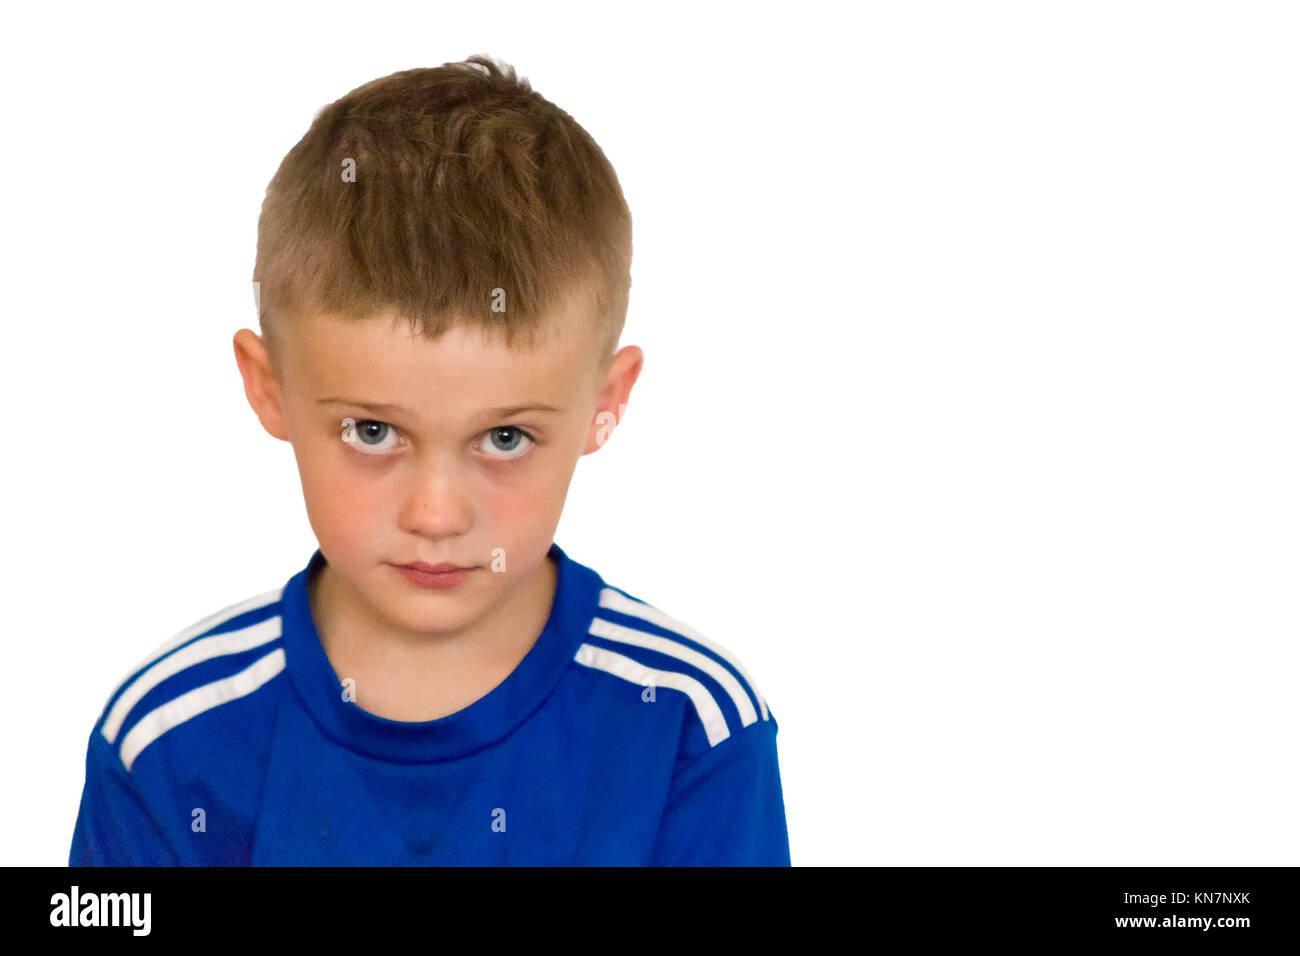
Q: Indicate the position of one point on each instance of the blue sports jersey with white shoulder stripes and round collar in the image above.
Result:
(623, 738)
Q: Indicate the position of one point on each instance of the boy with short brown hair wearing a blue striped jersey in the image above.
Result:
(444, 272)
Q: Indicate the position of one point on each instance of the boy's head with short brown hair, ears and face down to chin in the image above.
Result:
(443, 246)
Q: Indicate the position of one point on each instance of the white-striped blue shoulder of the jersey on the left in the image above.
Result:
(222, 657)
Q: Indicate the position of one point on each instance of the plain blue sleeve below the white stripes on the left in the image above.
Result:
(114, 824)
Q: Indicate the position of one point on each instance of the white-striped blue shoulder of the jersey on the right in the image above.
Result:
(634, 641)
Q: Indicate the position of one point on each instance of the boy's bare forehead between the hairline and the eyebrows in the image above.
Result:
(385, 360)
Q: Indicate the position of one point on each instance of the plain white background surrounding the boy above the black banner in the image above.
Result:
(968, 419)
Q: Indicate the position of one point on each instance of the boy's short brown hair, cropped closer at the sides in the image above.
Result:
(470, 189)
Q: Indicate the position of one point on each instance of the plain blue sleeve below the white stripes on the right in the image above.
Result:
(726, 807)
